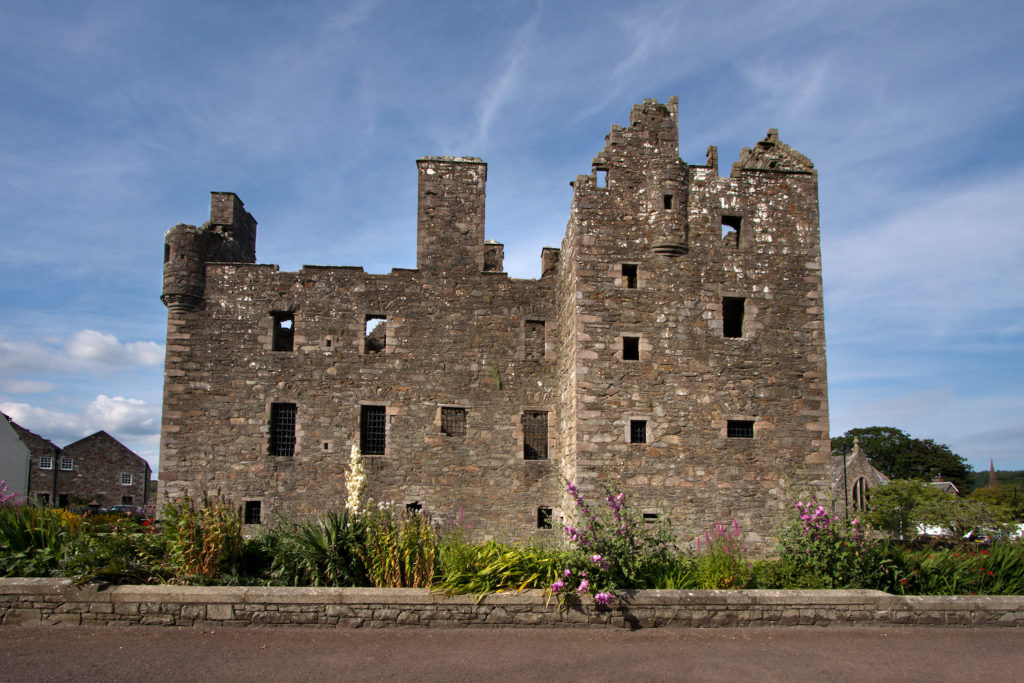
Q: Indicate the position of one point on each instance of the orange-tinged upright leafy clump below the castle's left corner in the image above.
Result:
(203, 542)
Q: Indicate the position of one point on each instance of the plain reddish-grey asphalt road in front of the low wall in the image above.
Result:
(806, 655)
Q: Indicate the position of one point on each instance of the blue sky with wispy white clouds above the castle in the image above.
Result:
(119, 119)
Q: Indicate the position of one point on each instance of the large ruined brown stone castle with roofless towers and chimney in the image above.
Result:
(672, 350)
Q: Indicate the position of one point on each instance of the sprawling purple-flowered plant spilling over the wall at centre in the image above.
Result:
(613, 548)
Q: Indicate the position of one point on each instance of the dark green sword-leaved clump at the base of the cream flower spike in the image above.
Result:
(323, 551)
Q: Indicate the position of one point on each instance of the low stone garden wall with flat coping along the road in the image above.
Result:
(57, 602)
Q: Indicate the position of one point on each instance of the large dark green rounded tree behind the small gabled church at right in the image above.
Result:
(900, 456)
